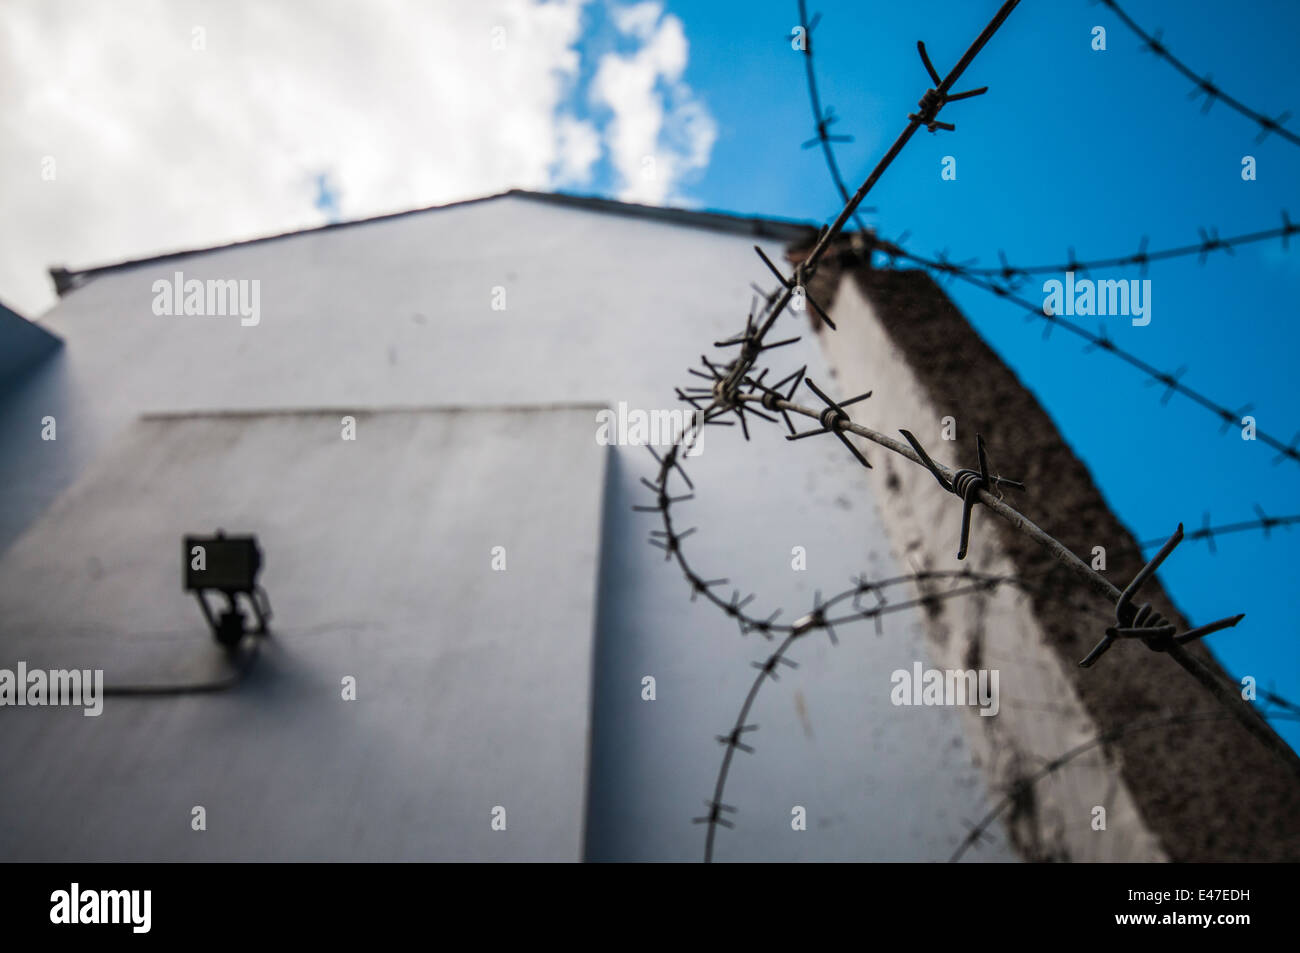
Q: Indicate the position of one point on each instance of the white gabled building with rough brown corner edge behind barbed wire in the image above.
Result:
(408, 414)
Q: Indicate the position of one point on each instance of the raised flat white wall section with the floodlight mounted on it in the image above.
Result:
(470, 683)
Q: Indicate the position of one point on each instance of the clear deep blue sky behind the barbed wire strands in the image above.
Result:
(1084, 149)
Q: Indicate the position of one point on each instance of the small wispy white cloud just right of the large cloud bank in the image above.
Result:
(660, 132)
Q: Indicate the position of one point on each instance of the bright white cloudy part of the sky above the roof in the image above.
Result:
(144, 127)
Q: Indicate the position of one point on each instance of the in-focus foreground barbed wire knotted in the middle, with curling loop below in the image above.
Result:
(736, 388)
